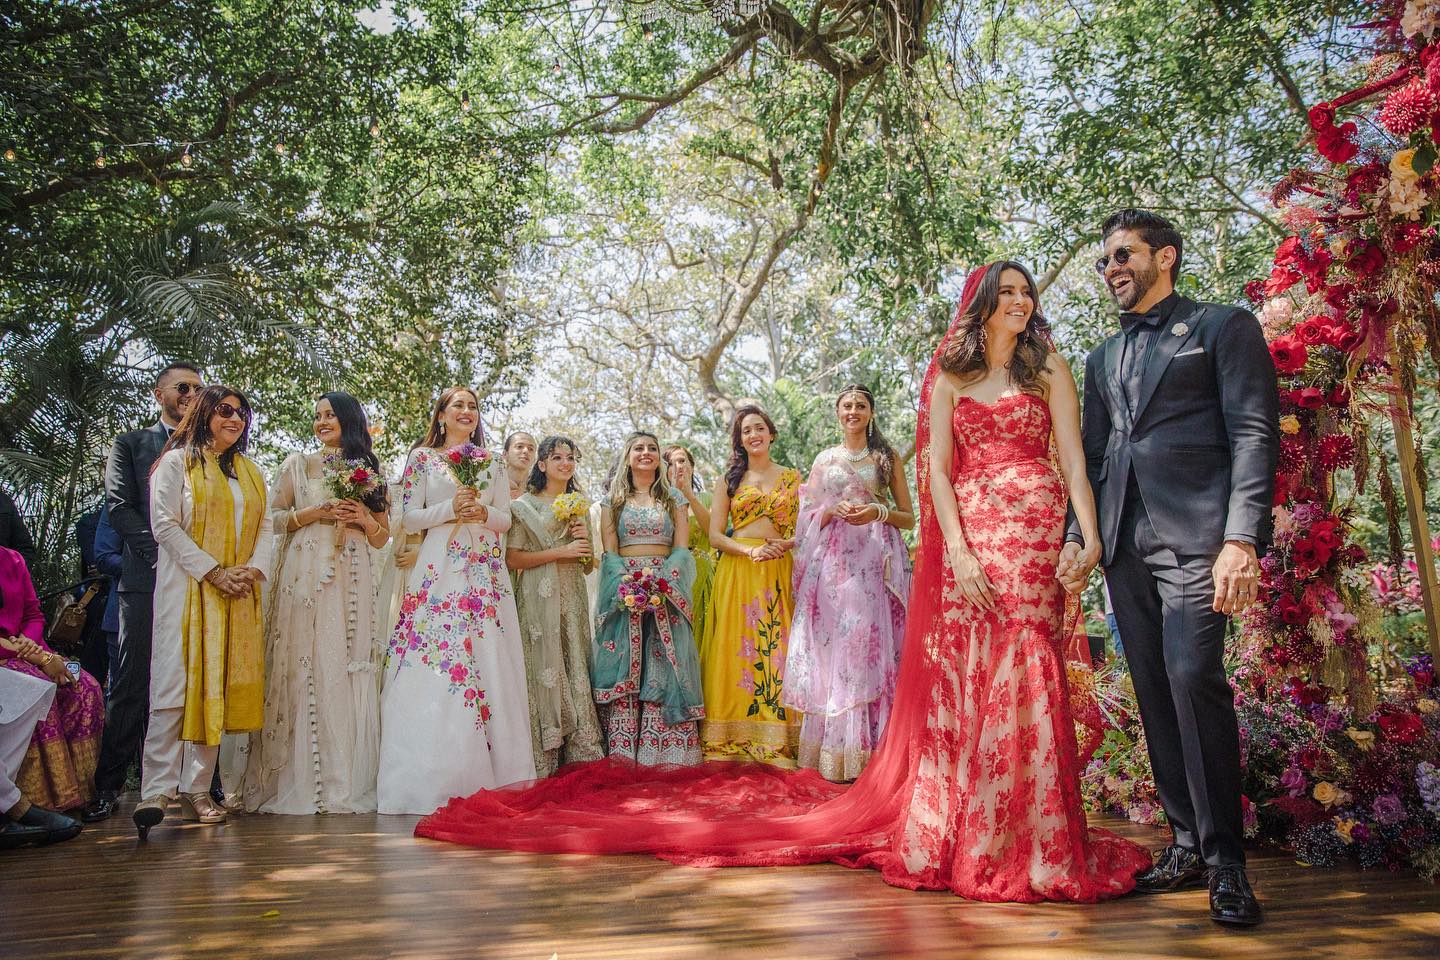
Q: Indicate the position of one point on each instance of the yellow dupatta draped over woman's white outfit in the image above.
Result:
(224, 638)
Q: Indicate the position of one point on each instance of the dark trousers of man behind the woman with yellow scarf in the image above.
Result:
(127, 709)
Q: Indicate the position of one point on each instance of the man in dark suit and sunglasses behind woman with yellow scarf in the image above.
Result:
(127, 493)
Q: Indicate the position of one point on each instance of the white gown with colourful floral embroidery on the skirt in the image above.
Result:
(454, 713)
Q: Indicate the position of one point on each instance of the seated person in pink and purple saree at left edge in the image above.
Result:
(60, 768)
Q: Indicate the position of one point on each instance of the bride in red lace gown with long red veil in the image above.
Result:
(976, 785)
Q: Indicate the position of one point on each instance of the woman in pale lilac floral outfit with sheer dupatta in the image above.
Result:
(852, 585)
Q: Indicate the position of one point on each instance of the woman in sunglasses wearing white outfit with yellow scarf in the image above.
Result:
(208, 654)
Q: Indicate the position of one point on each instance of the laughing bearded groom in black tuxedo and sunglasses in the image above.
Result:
(1182, 440)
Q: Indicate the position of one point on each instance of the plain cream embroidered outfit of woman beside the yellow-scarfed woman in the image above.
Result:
(322, 739)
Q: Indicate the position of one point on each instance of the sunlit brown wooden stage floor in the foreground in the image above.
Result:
(362, 887)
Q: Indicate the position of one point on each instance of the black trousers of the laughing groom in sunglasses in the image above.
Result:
(1174, 644)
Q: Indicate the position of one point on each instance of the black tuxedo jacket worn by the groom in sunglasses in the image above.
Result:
(1205, 438)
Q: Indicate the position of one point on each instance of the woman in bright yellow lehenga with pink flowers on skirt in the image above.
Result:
(742, 653)
